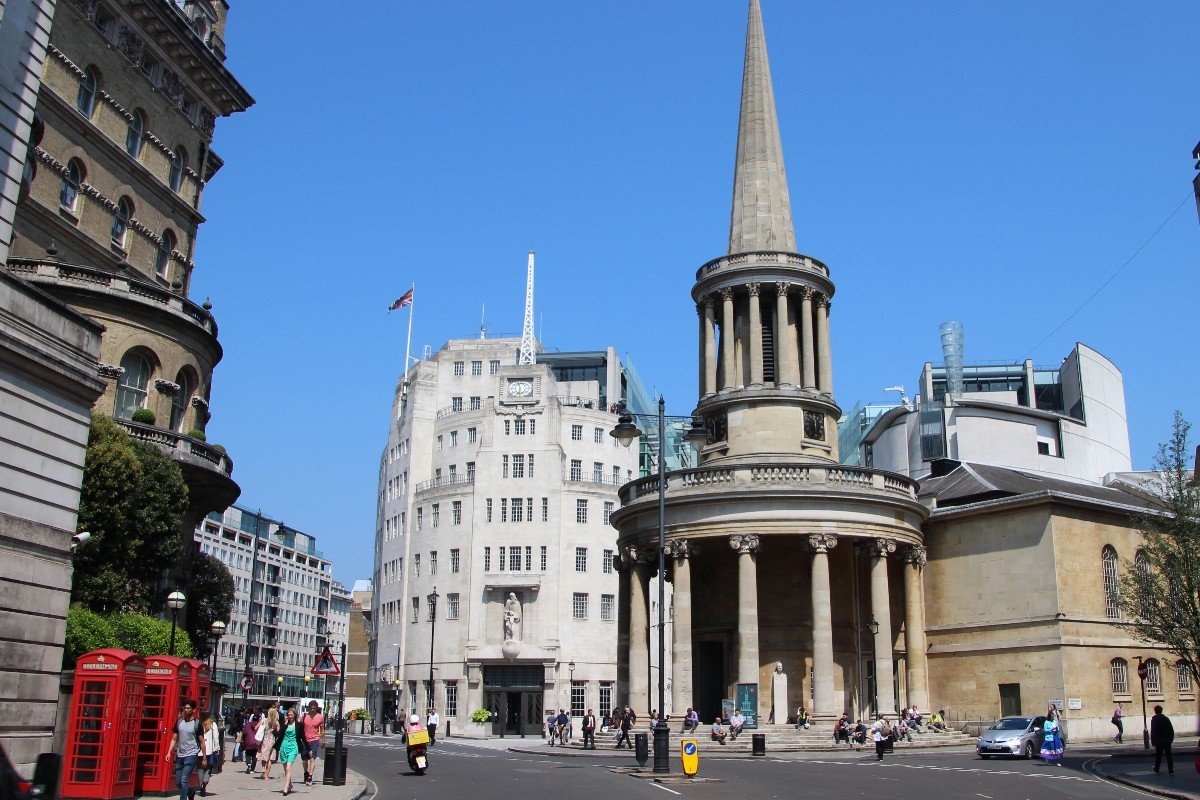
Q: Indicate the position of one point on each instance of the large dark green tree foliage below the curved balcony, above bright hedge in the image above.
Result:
(133, 502)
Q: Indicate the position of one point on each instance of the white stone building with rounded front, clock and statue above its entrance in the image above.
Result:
(495, 491)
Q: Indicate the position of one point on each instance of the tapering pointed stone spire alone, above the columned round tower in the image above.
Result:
(763, 213)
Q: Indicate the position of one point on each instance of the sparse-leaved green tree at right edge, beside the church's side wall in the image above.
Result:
(1160, 590)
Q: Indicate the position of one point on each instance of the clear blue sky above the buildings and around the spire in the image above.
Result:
(994, 164)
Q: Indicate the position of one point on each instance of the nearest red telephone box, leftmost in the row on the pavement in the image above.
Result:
(103, 733)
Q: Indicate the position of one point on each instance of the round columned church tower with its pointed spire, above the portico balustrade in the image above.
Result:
(766, 380)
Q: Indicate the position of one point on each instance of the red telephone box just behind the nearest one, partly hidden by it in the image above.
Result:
(167, 687)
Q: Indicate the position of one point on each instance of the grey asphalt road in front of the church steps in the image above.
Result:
(459, 771)
